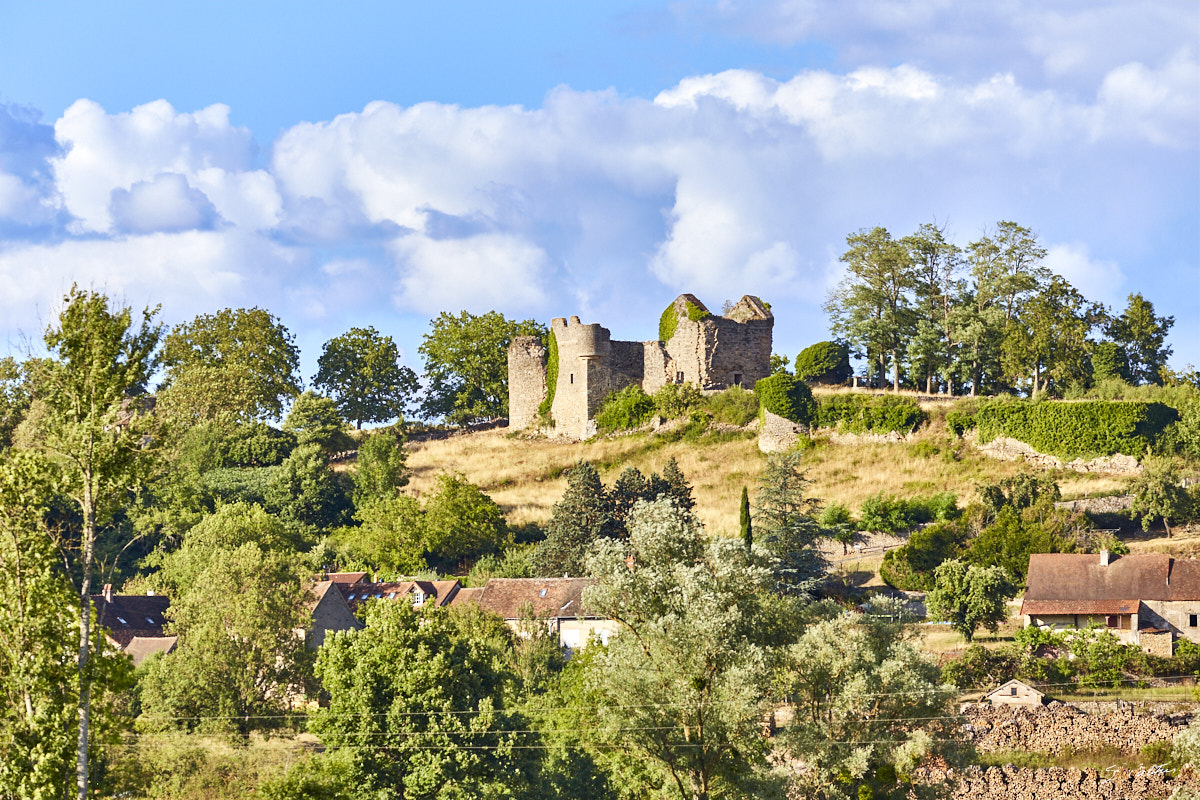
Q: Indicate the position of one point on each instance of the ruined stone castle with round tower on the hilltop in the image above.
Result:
(711, 352)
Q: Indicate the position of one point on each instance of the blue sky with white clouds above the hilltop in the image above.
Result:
(377, 164)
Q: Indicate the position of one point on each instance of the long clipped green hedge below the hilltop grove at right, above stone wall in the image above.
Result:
(1087, 429)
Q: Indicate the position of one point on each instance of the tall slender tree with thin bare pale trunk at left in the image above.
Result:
(99, 364)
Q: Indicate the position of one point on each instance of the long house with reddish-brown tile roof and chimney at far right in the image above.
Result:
(1149, 600)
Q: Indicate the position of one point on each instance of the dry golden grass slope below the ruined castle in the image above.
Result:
(525, 476)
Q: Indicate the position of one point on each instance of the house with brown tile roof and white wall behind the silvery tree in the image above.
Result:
(559, 601)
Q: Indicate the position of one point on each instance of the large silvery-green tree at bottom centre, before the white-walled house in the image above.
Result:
(683, 682)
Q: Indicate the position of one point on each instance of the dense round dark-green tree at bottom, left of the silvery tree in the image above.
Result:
(418, 703)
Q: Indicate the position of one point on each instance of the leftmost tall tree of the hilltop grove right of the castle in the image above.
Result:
(871, 308)
